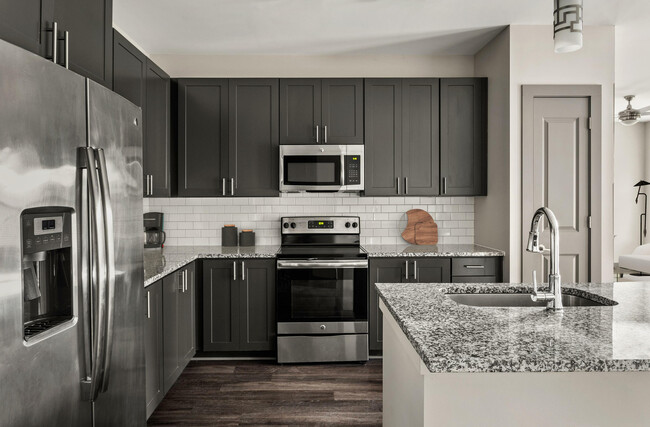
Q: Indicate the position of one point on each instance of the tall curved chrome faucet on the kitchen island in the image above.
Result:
(554, 297)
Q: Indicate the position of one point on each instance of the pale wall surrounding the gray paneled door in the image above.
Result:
(533, 61)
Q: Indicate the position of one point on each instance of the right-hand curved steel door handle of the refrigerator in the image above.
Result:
(110, 263)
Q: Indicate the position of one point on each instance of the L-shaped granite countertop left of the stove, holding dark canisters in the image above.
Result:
(160, 262)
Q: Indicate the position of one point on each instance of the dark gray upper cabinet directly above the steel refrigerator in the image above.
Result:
(83, 40)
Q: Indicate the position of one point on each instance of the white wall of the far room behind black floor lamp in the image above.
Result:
(630, 166)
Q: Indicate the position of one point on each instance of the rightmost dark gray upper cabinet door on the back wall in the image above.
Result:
(463, 137)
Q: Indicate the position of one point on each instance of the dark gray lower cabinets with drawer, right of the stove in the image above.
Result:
(425, 270)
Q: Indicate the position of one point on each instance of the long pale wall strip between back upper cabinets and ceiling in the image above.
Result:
(316, 66)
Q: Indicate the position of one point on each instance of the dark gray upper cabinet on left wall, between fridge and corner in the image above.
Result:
(142, 82)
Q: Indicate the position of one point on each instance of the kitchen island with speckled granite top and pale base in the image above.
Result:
(449, 364)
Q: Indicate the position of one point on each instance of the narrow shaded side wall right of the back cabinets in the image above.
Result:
(492, 213)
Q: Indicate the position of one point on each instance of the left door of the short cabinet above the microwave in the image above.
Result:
(300, 111)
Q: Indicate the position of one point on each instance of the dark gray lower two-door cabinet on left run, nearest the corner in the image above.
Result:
(178, 323)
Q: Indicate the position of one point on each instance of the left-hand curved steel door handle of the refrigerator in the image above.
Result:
(99, 275)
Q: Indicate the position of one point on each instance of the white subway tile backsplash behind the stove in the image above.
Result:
(198, 221)
